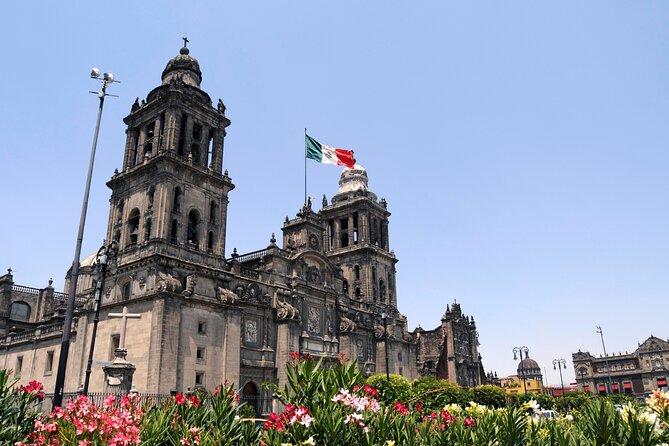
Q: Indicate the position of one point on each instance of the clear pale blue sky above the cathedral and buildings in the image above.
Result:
(521, 145)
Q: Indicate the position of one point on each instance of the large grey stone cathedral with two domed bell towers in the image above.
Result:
(190, 316)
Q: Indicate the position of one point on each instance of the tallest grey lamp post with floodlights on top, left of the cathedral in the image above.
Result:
(106, 79)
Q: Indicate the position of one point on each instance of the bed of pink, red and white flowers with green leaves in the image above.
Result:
(328, 406)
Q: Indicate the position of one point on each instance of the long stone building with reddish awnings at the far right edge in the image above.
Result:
(637, 373)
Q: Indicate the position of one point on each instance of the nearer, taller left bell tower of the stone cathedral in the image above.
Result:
(171, 195)
